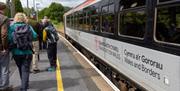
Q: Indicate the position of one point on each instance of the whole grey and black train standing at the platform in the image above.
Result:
(135, 43)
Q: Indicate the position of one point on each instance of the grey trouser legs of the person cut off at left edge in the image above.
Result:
(4, 70)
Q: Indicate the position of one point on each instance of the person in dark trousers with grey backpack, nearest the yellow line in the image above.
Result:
(52, 38)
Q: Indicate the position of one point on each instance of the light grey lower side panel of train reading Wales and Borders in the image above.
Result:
(154, 70)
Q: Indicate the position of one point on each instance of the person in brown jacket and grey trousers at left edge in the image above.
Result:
(4, 52)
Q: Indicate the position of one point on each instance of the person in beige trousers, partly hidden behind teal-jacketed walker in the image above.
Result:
(35, 59)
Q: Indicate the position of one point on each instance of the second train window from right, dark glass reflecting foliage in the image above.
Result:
(132, 23)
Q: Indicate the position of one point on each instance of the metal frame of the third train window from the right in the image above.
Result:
(107, 13)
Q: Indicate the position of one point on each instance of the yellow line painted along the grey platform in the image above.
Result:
(59, 77)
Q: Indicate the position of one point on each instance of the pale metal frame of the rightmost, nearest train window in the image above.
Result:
(159, 6)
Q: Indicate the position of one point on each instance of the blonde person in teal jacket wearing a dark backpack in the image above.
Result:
(21, 36)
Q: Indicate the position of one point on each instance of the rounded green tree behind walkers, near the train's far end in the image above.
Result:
(55, 12)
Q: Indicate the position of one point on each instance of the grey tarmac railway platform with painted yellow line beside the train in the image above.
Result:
(72, 74)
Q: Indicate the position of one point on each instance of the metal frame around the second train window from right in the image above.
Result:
(131, 10)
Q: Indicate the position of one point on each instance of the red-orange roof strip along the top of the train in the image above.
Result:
(81, 6)
